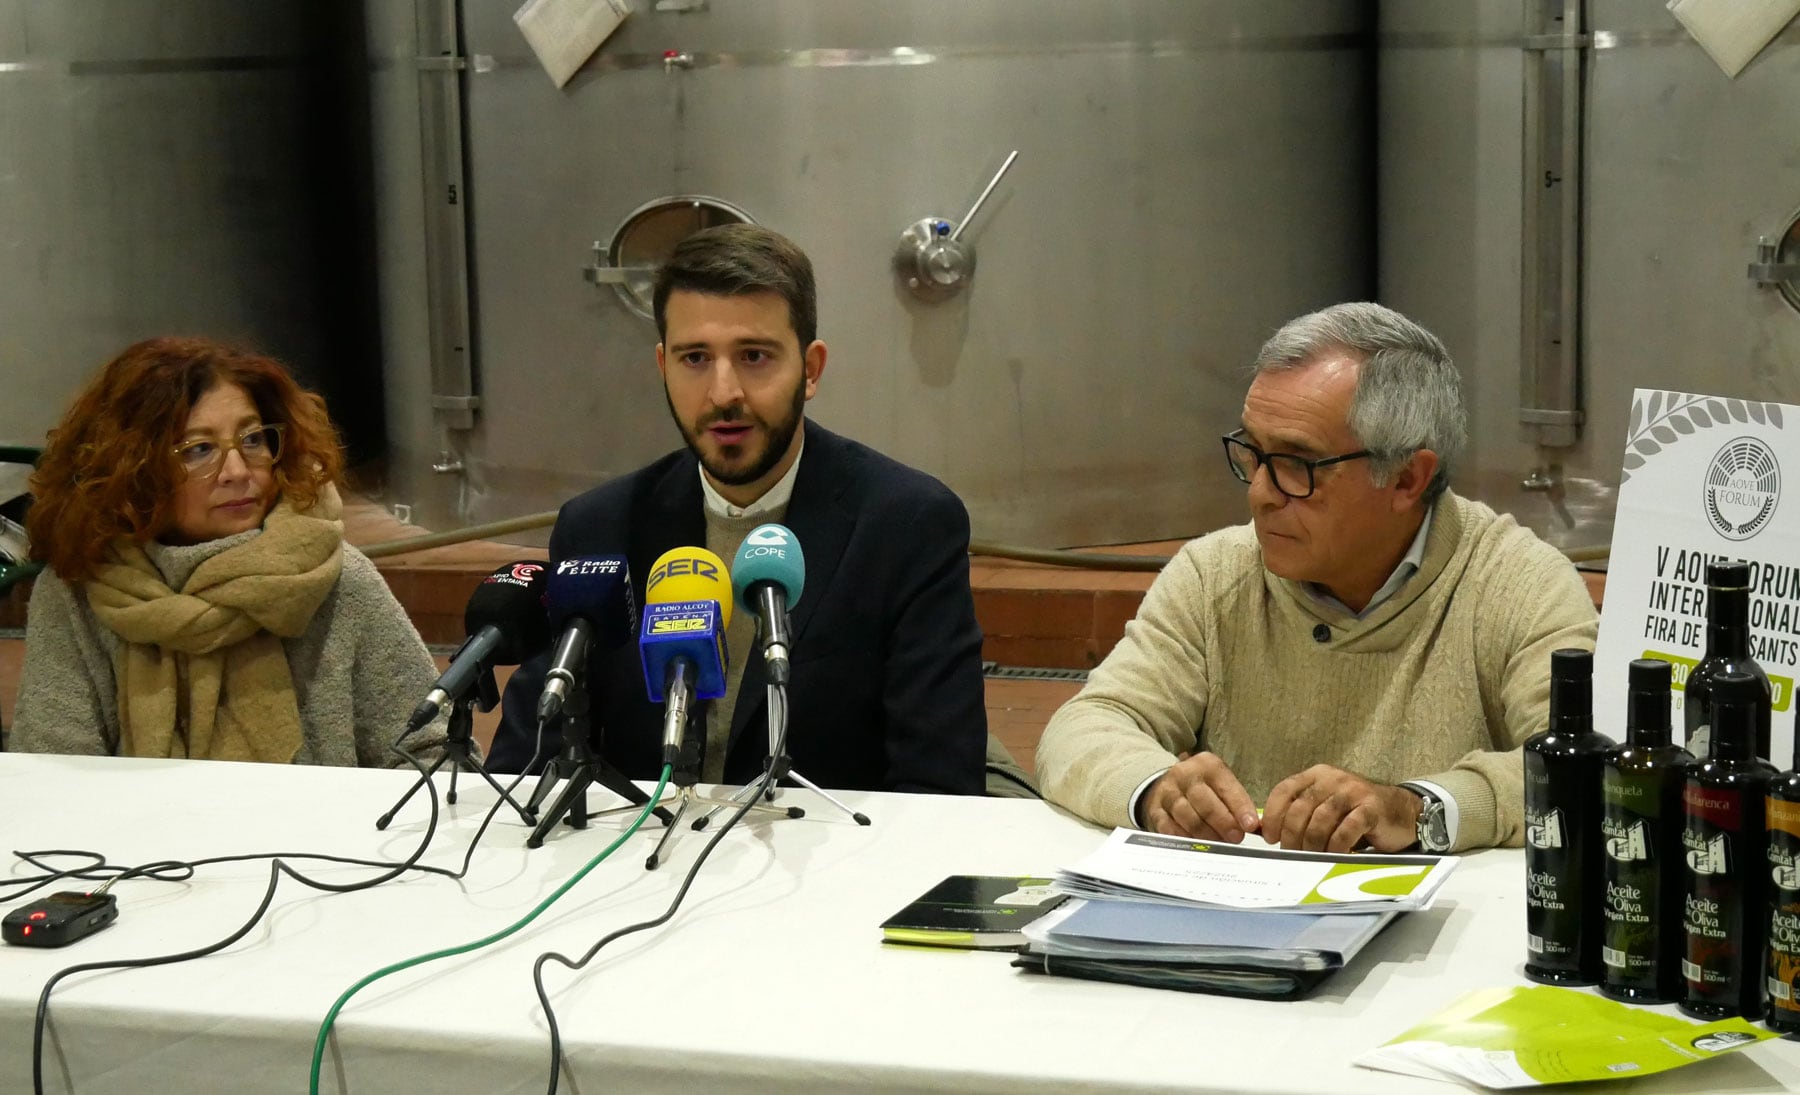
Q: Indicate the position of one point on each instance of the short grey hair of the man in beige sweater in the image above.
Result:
(1408, 394)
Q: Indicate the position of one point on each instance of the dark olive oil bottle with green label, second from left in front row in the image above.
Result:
(1641, 822)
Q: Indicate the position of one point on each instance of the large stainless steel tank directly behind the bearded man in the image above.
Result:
(1191, 176)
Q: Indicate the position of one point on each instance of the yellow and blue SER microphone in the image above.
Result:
(683, 642)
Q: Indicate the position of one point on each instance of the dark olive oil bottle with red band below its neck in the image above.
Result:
(1725, 862)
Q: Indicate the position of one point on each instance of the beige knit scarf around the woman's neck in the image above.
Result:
(202, 673)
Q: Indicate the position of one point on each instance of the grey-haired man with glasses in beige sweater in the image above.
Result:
(1356, 667)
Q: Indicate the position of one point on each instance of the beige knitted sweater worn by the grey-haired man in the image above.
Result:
(1443, 682)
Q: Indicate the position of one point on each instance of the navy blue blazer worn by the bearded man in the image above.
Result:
(886, 687)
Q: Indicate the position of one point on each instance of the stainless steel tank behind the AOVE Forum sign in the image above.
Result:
(1673, 174)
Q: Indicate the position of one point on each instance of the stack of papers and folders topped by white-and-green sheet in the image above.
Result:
(1234, 919)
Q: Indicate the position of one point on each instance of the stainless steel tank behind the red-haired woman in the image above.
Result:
(181, 168)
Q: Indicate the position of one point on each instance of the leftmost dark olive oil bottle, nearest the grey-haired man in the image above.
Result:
(1563, 883)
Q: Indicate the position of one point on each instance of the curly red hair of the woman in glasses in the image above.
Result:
(109, 469)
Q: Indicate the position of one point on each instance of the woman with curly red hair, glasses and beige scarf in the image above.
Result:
(199, 599)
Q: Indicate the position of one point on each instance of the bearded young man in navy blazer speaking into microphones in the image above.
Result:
(886, 660)
